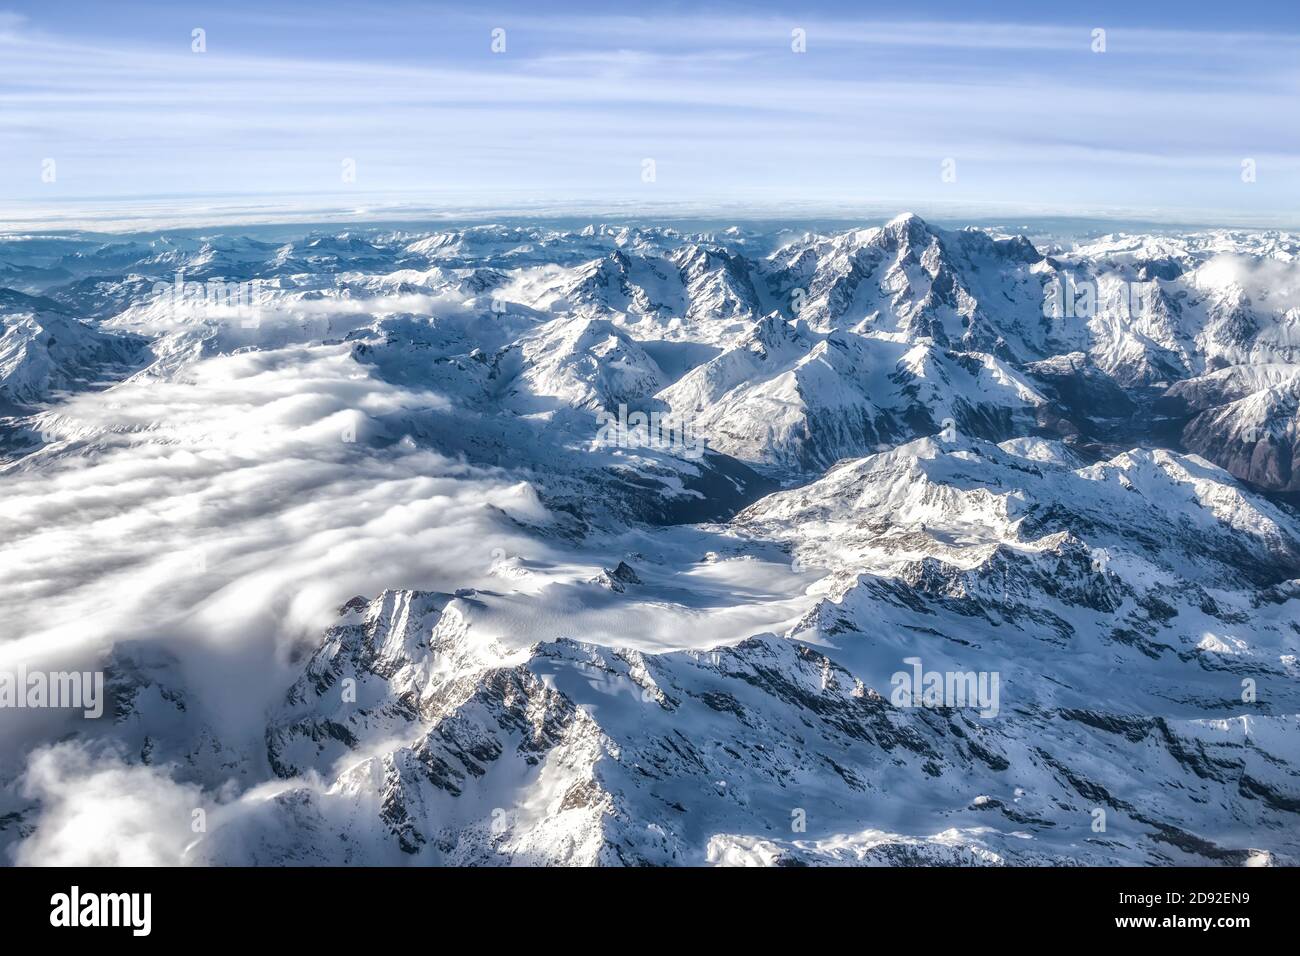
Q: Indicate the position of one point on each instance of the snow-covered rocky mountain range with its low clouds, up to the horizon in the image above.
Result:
(523, 544)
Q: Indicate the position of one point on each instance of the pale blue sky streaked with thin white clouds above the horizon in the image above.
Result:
(1011, 101)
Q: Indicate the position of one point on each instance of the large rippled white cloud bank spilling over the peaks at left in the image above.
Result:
(228, 513)
